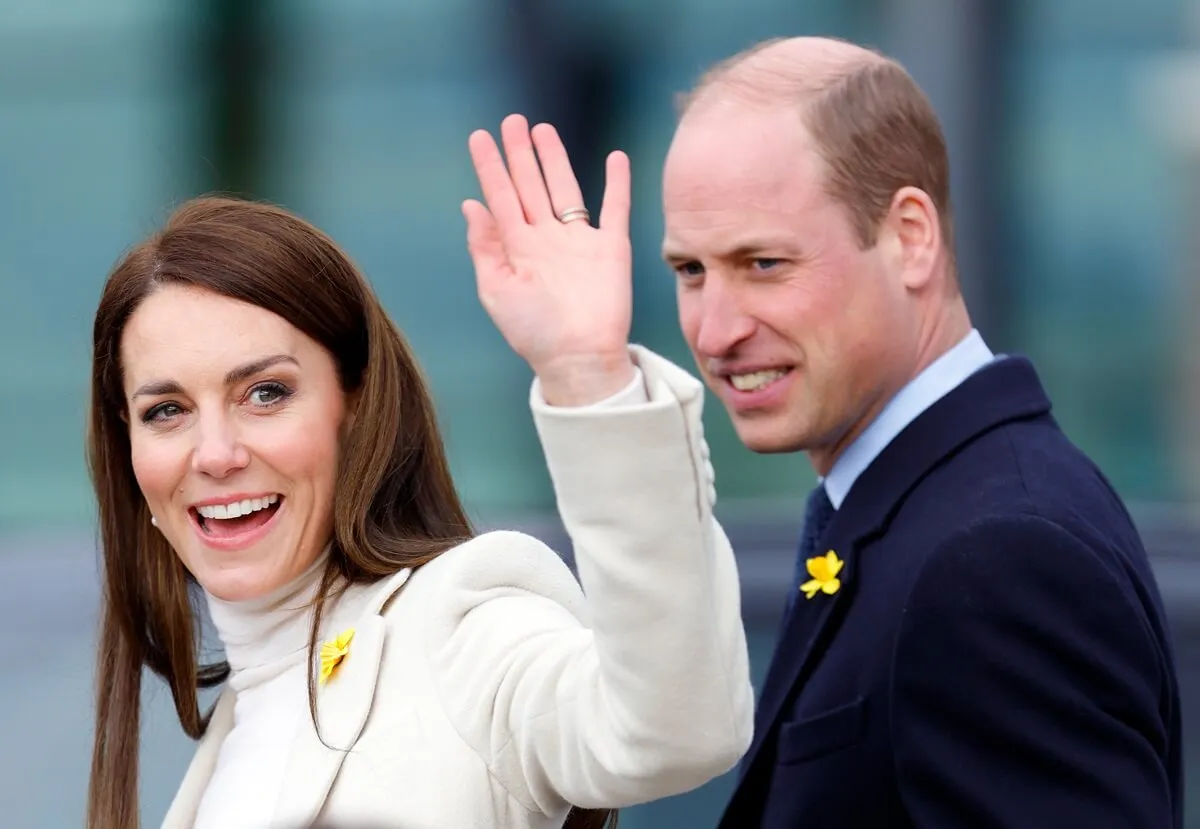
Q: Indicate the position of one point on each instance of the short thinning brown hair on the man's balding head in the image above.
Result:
(873, 125)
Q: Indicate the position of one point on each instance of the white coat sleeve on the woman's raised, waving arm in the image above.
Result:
(643, 689)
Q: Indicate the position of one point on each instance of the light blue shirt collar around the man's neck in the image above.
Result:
(940, 379)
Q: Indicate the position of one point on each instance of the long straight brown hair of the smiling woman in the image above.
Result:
(395, 506)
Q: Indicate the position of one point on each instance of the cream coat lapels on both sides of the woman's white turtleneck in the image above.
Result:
(343, 707)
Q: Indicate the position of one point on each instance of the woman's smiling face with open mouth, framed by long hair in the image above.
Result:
(236, 422)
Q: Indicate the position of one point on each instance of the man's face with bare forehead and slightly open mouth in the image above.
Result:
(800, 332)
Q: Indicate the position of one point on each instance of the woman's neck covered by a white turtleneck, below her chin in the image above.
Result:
(269, 632)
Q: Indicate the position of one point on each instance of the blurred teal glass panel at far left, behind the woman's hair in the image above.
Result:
(93, 118)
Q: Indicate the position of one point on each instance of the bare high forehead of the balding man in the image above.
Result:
(733, 165)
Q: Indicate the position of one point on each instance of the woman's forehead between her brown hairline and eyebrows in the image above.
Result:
(177, 329)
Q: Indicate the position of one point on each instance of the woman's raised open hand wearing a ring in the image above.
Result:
(557, 289)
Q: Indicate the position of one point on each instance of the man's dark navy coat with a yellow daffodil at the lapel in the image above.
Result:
(998, 654)
